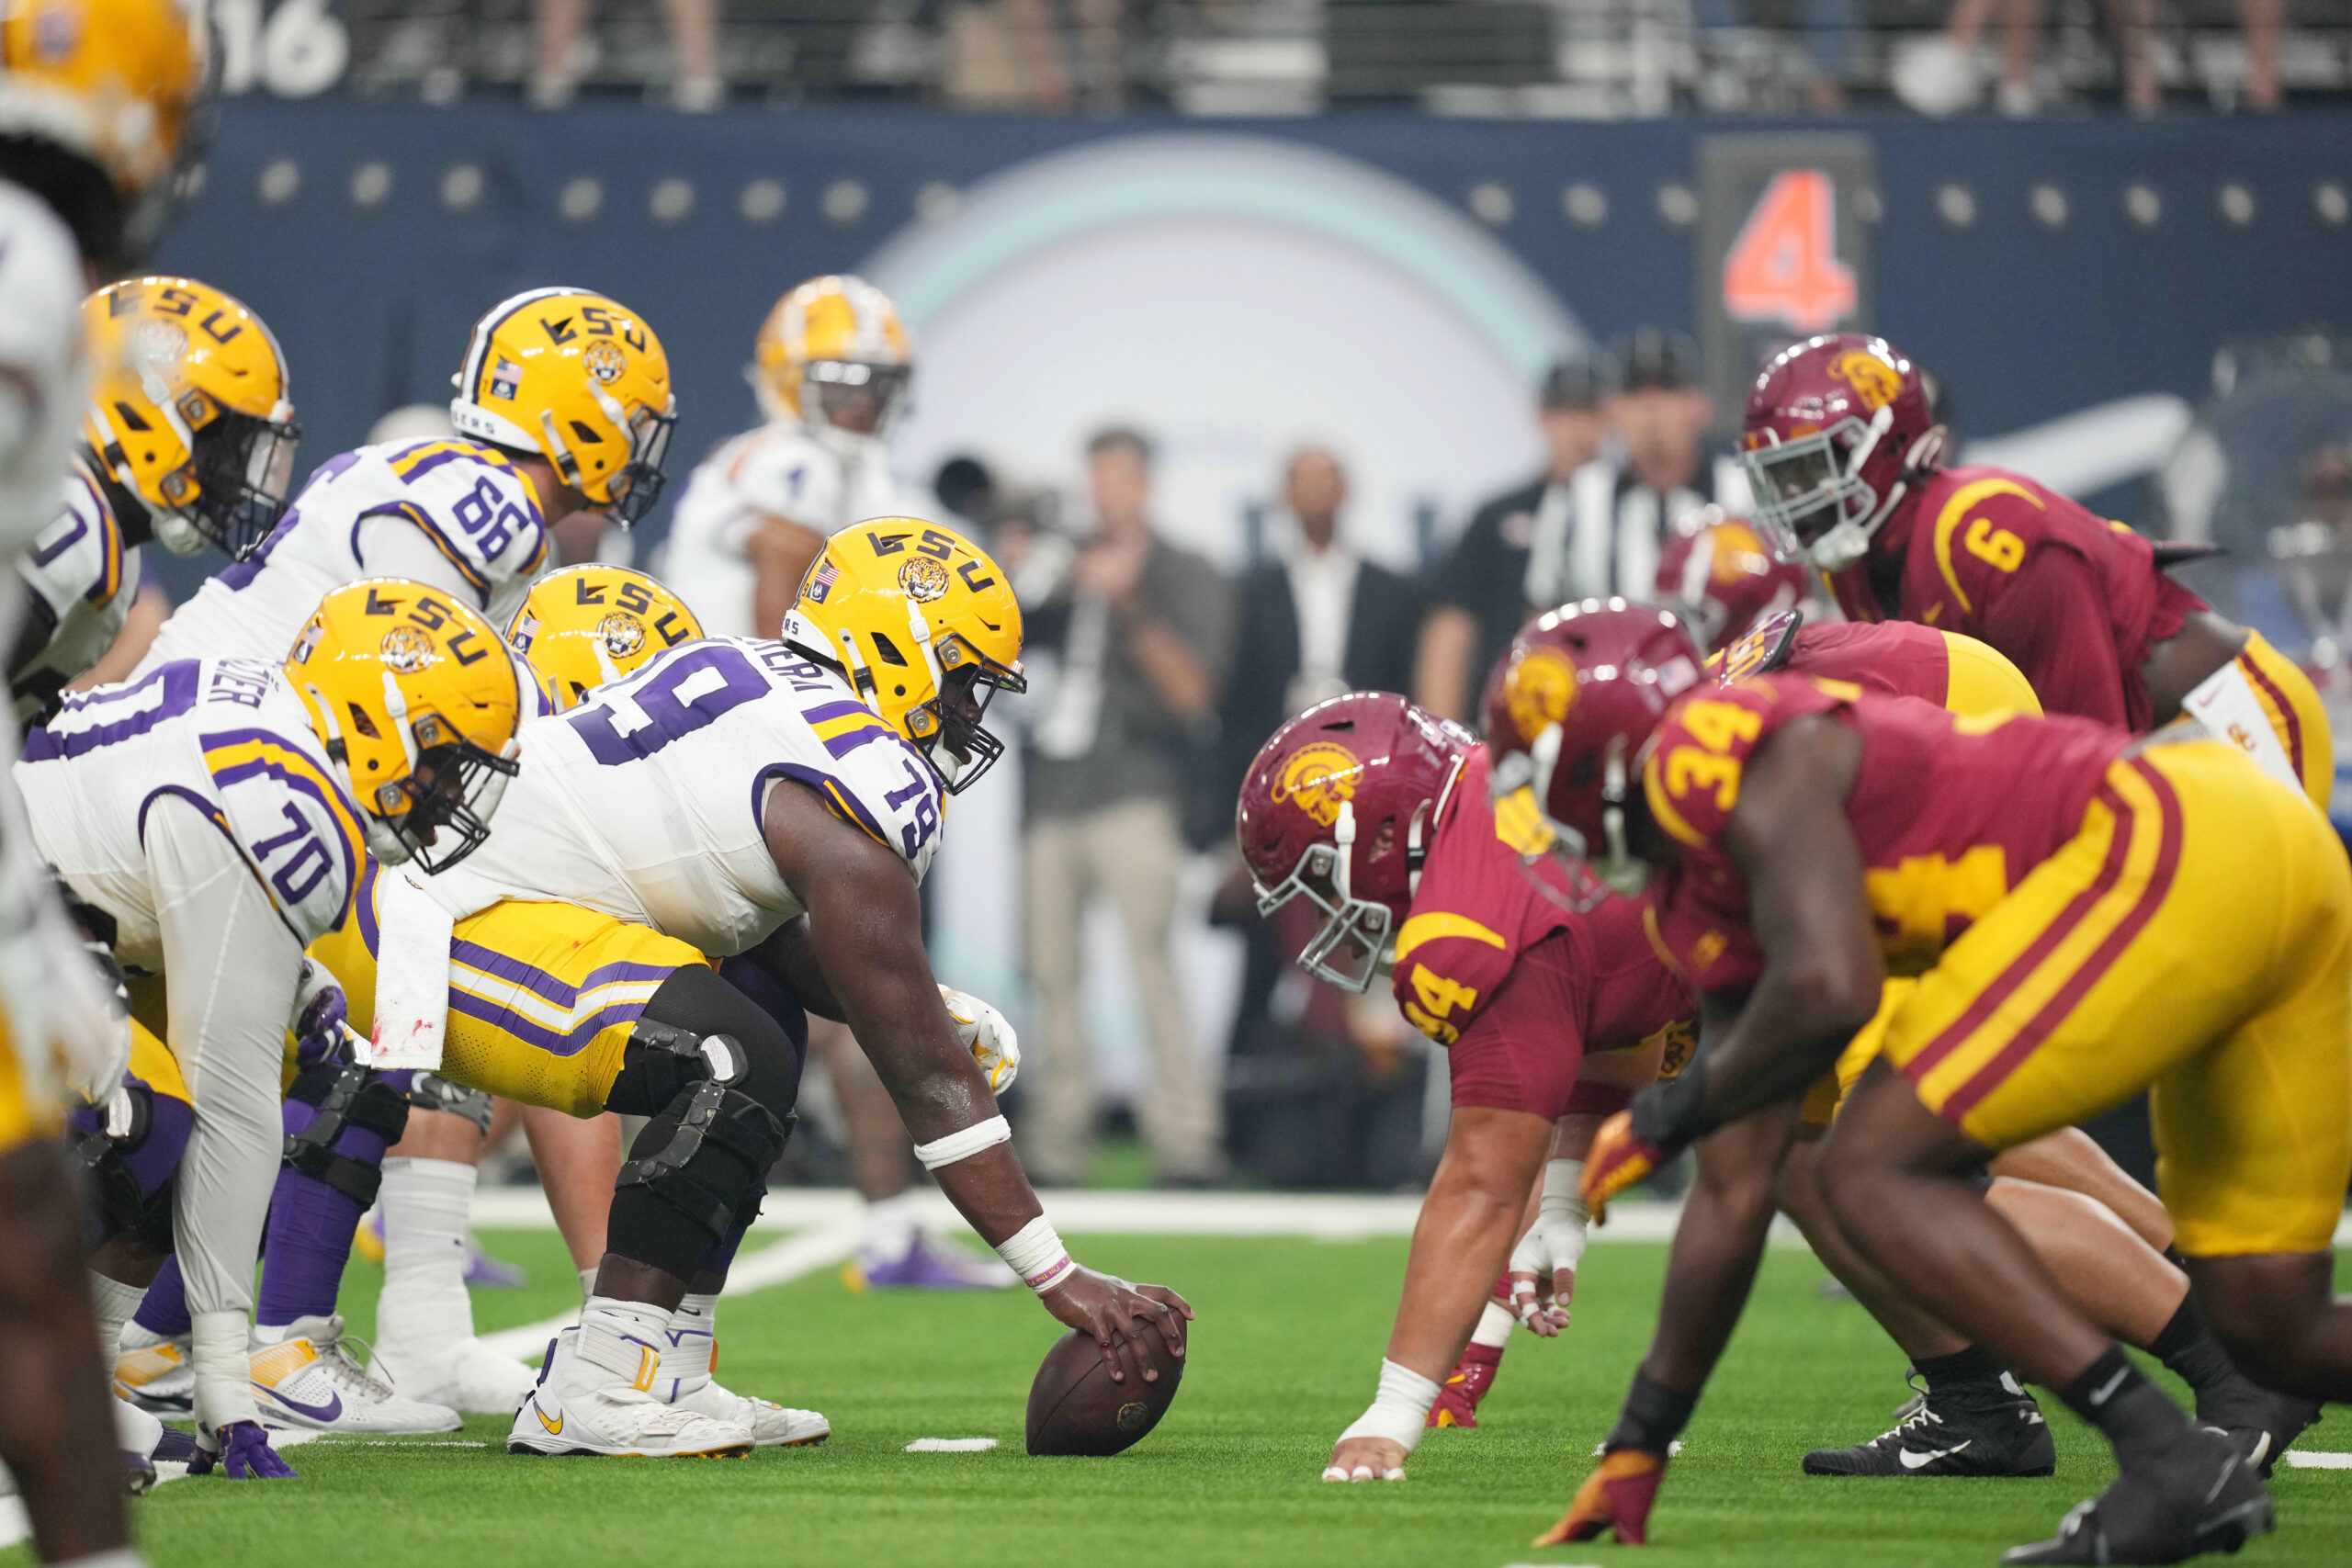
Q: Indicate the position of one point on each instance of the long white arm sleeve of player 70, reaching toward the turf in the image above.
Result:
(232, 972)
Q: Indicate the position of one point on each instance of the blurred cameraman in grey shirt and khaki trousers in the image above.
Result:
(1142, 636)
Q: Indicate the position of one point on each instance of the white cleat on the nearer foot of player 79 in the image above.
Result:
(596, 1395)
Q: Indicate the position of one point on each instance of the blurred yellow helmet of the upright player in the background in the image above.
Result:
(843, 340)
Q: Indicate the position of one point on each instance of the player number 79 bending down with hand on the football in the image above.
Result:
(700, 808)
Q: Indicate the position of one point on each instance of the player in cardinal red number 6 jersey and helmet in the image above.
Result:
(1845, 460)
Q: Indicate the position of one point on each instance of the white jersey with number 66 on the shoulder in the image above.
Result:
(467, 502)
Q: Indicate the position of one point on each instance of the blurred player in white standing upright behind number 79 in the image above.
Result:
(831, 370)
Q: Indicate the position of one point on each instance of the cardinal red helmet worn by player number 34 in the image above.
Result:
(1575, 699)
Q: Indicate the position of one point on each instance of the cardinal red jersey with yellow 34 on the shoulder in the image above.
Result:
(1949, 815)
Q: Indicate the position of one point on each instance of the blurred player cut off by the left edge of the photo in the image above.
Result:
(95, 109)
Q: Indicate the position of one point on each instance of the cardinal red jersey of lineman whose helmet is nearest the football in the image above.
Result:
(1504, 974)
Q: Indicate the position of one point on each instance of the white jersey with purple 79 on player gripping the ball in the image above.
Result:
(646, 800)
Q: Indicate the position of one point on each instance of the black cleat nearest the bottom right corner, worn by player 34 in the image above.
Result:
(2205, 1499)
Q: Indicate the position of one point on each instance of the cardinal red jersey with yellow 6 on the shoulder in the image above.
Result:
(2073, 601)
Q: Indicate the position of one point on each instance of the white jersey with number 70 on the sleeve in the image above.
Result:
(225, 735)
